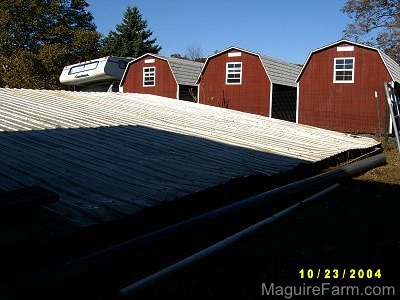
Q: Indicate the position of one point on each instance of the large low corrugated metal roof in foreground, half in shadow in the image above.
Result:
(111, 154)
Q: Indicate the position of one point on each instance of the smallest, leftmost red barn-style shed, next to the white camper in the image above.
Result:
(163, 76)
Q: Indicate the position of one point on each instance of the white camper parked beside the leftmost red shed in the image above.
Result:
(97, 75)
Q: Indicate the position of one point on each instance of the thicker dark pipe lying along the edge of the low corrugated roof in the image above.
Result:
(107, 255)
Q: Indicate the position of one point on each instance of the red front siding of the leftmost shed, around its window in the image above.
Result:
(165, 84)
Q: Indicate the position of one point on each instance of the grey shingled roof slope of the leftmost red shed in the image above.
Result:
(186, 71)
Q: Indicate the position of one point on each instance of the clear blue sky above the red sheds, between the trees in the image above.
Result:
(284, 29)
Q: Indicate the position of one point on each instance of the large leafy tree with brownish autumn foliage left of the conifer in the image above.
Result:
(39, 37)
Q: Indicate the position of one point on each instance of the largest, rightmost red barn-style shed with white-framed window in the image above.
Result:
(341, 87)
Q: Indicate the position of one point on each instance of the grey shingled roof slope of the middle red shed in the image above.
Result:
(281, 72)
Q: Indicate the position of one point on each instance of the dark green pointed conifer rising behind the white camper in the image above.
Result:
(131, 38)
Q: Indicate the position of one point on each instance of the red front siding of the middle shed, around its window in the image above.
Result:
(252, 95)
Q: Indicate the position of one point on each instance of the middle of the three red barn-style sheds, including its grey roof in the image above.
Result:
(246, 81)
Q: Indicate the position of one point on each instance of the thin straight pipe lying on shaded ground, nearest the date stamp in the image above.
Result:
(129, 290)
